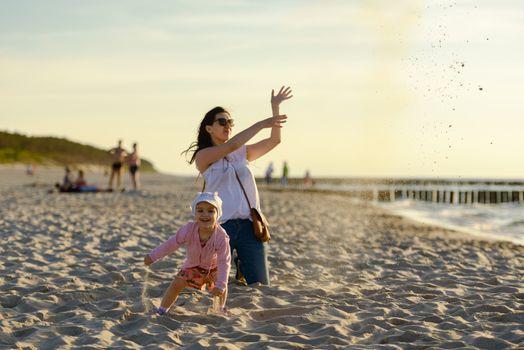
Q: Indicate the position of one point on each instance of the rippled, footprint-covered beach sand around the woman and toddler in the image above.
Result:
(344, 275)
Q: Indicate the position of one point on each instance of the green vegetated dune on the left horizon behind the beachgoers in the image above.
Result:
(17, 148)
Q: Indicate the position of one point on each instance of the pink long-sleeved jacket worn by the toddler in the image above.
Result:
(216, 252)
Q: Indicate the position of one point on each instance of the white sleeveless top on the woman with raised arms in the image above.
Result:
(220, 177)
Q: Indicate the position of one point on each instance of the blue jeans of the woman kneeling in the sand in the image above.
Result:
(251, 252)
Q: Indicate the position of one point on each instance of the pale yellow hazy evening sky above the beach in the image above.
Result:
(400, 88)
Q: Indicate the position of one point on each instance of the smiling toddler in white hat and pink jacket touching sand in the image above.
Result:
(208, 254)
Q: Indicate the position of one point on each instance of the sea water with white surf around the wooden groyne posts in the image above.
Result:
(499, 221)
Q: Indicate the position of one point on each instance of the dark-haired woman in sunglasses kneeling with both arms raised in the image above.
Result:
(224, 161)
